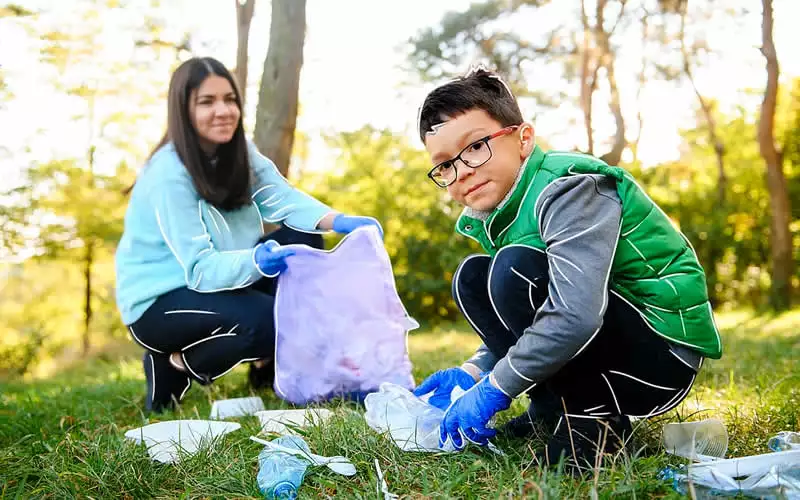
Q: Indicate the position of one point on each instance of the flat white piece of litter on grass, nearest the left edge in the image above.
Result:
(167, 441)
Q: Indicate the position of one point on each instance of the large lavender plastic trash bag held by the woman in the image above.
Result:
(341, 326)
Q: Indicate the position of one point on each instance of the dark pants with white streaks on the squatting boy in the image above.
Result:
(625, 369)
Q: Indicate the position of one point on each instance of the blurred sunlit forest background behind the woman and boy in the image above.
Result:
(598, 76)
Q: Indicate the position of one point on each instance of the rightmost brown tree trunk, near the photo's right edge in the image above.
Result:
(780, 235)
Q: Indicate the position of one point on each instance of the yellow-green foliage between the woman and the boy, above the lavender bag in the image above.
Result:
(381, 175)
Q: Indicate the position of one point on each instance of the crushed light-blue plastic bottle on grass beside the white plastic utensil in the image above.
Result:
(280, 474)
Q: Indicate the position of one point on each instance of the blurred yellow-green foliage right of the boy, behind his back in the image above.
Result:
(730, 238)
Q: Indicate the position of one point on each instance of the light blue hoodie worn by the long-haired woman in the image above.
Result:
(173, 238)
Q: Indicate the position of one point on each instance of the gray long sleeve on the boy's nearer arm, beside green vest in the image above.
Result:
(579, 220)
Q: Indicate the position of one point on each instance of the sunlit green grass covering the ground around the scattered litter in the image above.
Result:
(62, 437)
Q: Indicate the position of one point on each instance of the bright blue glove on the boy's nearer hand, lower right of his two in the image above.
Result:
(467, 417)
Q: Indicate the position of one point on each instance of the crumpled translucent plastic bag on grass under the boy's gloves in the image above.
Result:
(411, 422)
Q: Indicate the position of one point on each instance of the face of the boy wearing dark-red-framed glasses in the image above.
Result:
(484, 187)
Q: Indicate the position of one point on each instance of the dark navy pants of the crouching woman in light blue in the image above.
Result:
(213, 332)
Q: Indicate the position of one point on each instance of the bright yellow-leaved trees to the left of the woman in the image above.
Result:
(67, 215)
